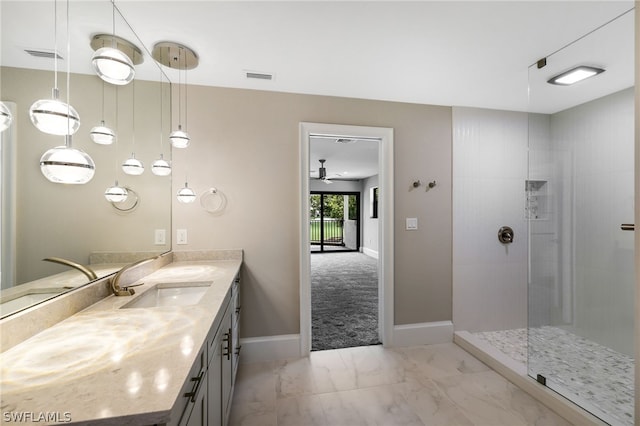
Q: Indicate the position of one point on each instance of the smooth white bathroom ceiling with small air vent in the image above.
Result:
(456, 53)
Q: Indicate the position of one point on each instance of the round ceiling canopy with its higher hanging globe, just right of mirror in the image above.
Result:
(179, 57)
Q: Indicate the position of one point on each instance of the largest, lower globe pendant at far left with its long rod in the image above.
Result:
(65, 164)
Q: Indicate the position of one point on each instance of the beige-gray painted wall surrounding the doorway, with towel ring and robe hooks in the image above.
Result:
(246, 143)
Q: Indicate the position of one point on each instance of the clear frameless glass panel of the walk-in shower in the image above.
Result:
(579, 192)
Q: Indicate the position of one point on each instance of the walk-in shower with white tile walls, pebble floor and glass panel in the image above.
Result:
(558, 300)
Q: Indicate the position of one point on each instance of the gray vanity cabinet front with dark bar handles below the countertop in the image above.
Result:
(207, 394)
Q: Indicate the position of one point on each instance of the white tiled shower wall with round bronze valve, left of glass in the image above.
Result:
(489, 173)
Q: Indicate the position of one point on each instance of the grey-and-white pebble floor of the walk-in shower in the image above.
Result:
(600, 377)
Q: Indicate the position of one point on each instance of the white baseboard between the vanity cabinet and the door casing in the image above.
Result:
(269, 348)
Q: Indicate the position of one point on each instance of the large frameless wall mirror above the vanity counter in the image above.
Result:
(42, 219)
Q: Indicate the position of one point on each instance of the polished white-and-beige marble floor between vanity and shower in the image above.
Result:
(372, 385)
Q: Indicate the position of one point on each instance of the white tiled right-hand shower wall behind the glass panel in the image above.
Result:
(598, 137)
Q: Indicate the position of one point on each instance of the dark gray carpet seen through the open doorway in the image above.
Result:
(344, 300)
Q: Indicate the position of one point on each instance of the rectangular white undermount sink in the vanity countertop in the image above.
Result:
(171, 294)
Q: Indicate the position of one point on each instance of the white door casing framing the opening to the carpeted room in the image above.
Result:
(383, 140)
